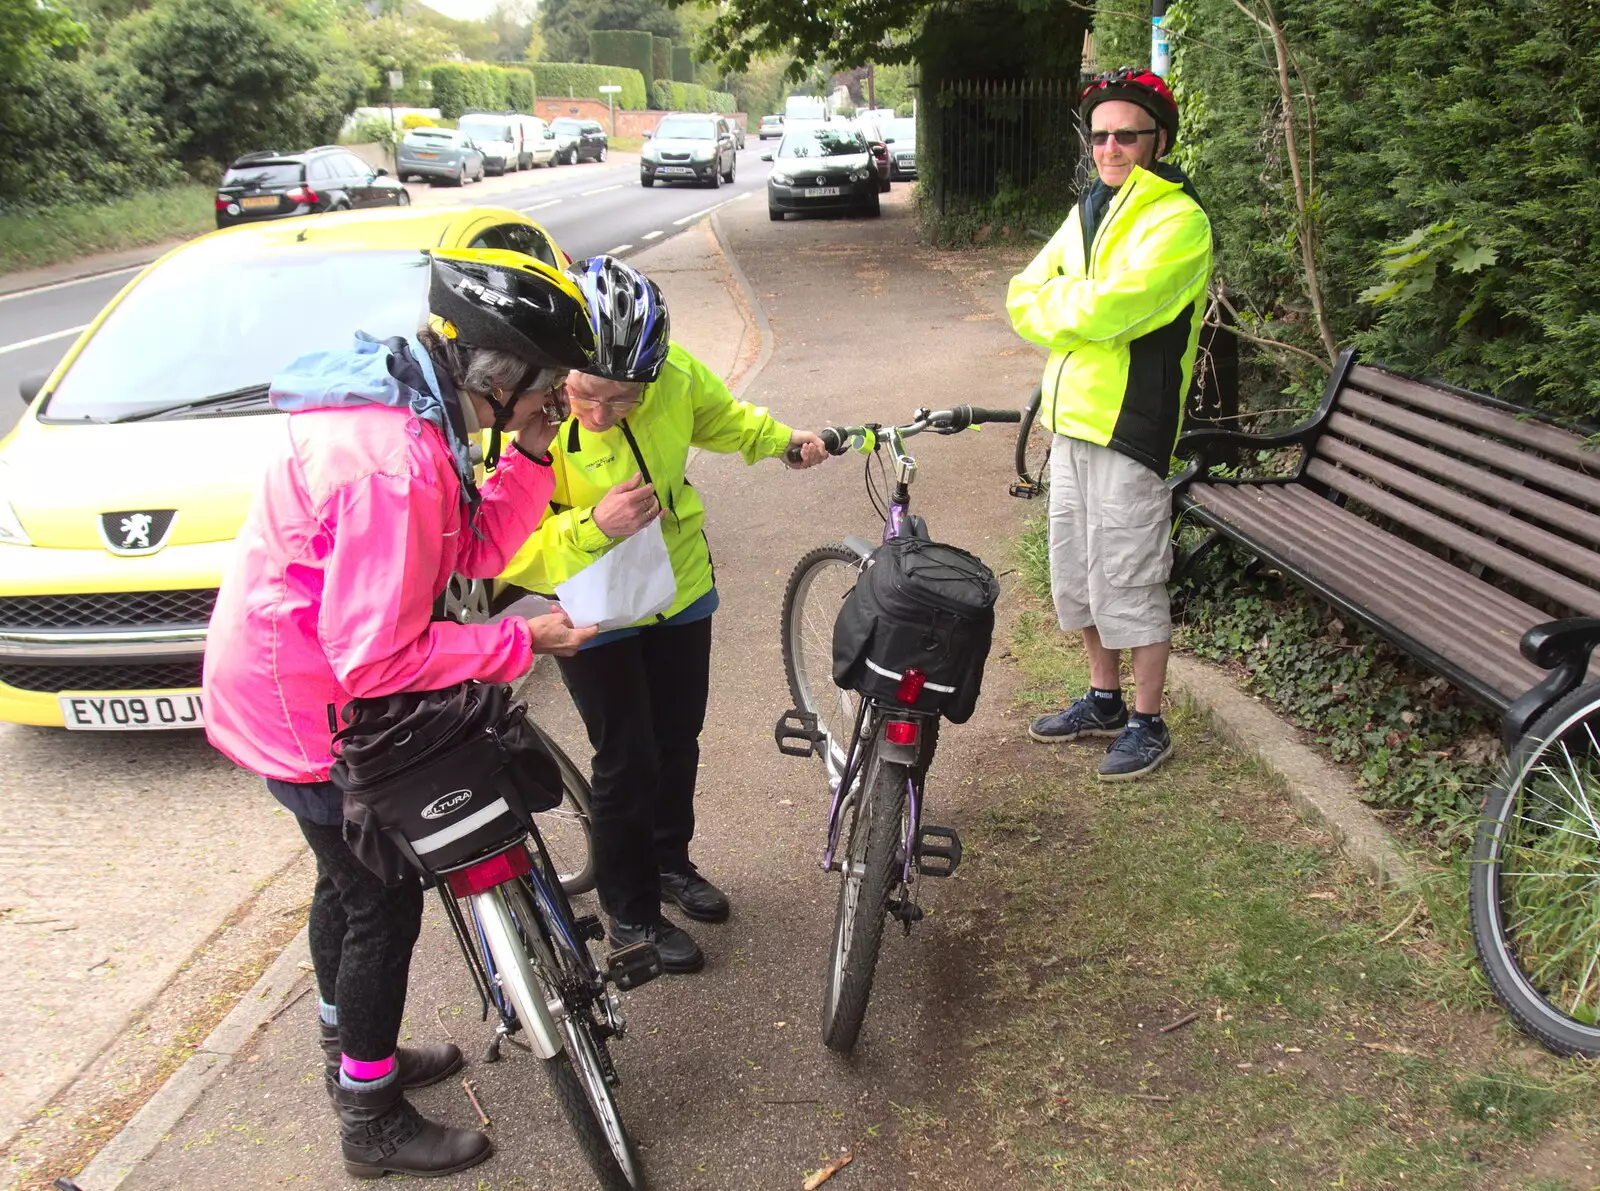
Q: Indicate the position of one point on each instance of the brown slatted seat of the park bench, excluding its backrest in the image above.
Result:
(1489, 654)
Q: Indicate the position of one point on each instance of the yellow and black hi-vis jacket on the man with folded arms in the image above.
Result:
(1121, 316)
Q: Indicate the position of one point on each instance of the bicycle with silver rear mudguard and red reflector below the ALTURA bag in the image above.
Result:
(530, 961)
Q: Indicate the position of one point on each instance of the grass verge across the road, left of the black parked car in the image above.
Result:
(54, 235)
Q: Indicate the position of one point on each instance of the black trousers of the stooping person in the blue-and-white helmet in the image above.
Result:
(644, 702)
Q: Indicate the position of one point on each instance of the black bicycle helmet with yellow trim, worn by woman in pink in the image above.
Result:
(513, 303)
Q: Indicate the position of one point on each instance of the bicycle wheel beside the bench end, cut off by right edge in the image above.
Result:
(1530, 921)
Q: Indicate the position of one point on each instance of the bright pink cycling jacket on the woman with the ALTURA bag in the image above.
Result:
(354, 534)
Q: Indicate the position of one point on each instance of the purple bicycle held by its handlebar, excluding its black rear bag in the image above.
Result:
(876, 753)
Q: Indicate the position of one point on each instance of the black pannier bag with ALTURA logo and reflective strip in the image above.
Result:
(434, 779)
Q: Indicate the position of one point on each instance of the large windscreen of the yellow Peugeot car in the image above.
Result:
(199, 326)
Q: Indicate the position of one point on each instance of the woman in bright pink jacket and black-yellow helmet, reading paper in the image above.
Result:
(354, 535)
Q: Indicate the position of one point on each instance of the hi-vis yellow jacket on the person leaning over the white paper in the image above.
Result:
(686, 407)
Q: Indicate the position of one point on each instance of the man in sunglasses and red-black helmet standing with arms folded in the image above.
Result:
(1118, 297)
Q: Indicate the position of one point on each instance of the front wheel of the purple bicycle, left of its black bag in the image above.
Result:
(817, 587)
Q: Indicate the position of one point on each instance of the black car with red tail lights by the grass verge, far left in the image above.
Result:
(278, 186)
